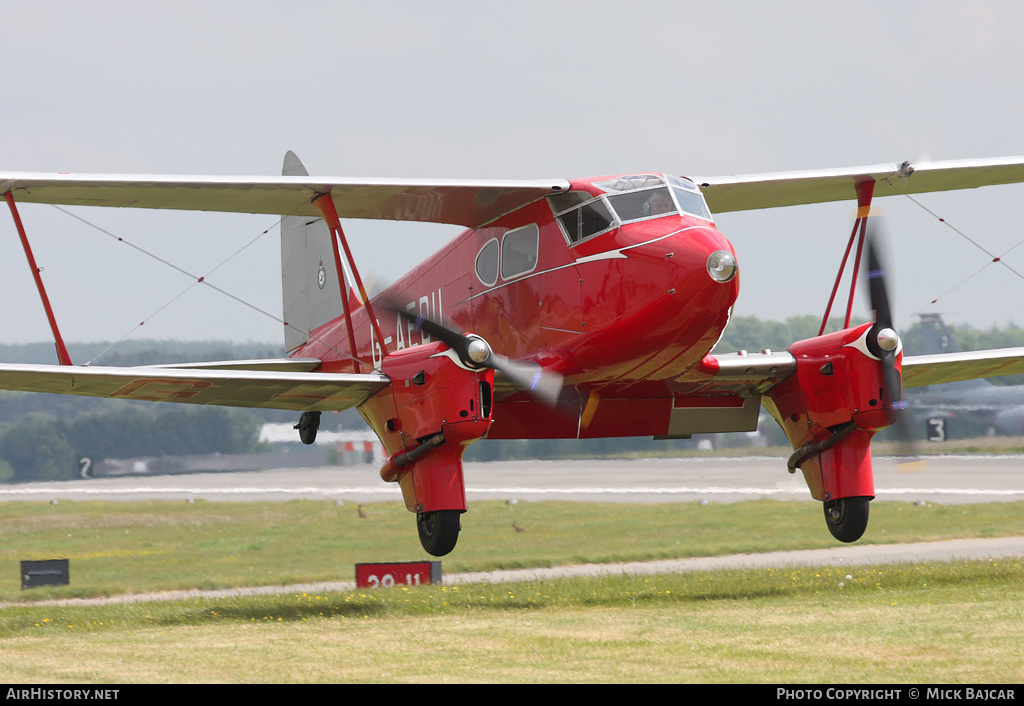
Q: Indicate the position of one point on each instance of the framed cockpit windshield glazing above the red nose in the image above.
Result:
(626, 199)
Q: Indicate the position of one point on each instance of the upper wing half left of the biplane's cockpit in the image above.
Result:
(473, 203)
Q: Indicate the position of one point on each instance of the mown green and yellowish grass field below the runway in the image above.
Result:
(955, 622)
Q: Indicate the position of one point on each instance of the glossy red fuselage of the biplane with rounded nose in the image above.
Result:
(622, 308)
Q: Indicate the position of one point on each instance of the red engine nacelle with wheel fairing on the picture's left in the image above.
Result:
(434, 409)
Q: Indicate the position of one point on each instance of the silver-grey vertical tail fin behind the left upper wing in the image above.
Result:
(310, 280)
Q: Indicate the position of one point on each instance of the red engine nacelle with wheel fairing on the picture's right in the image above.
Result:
(831, 408)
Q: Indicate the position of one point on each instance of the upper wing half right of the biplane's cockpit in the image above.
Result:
(791, 189)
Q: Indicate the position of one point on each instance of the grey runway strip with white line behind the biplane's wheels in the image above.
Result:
(945, 480)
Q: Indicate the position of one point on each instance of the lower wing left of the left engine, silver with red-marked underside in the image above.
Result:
(277, 386)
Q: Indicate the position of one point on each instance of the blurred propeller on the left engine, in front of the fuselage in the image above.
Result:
(477, 353)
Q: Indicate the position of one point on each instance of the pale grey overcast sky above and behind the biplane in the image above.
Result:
(500, 91)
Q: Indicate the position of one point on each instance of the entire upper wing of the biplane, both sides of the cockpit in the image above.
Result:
(476, 203)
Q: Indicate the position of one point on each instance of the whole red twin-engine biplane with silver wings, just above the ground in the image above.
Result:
(567, 310)
